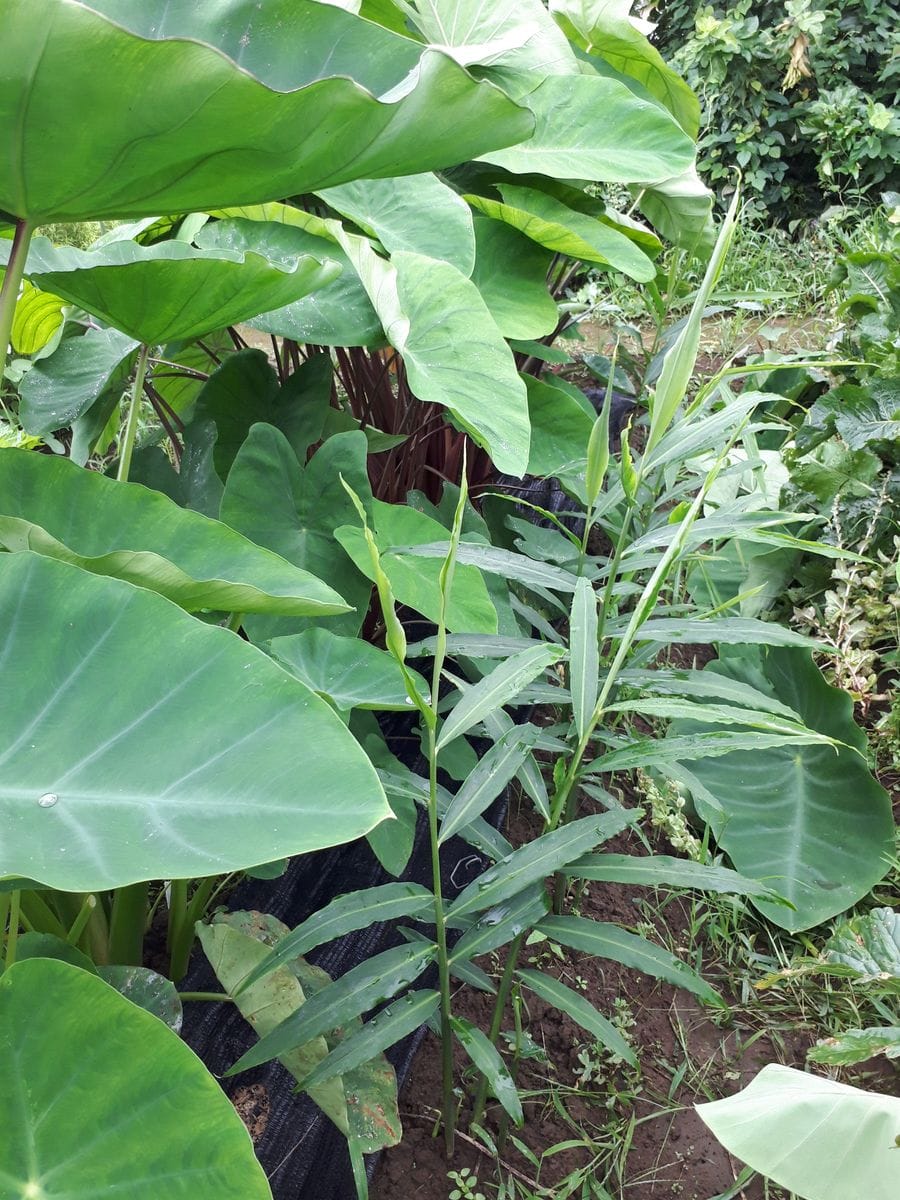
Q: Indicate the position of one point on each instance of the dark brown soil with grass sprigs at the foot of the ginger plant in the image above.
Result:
(640, 1136)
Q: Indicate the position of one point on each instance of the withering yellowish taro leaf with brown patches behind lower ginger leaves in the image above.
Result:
(364, 1102)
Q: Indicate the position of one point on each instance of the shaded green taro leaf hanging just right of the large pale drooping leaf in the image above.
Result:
(512, 275)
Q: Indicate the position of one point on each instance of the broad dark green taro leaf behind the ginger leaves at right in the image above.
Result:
(808, 820)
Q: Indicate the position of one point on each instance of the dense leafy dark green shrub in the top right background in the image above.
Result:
(801, 94)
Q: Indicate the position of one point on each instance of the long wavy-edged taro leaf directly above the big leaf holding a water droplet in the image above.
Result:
(50, 506)
